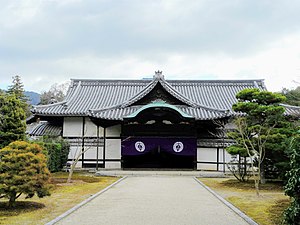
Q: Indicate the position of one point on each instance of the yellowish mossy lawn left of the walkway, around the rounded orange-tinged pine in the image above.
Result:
(63, 197)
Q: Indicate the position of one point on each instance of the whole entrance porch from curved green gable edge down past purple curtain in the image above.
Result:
(158, 135)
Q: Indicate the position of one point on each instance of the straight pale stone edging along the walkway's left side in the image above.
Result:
(65, 214)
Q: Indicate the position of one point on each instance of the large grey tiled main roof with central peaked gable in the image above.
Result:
(113, 99)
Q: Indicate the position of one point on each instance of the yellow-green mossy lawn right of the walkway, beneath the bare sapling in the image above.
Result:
(265, 210)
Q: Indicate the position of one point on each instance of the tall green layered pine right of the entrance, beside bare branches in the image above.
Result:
(262, 125)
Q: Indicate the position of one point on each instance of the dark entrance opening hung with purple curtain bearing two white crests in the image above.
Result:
(154, 152)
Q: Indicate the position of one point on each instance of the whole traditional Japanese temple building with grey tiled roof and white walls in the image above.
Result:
(148, 123)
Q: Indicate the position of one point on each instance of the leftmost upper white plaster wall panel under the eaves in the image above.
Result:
(72, 127)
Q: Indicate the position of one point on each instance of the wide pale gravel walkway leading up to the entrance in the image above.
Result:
(174, 200)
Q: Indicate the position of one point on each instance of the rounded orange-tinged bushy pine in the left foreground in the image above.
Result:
(23, 170)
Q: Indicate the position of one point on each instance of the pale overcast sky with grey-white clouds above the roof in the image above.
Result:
(52, 41)
